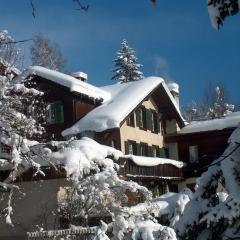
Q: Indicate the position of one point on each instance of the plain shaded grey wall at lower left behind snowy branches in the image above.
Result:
(37, 207)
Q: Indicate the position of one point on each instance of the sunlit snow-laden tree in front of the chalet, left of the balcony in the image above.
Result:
(98, 191)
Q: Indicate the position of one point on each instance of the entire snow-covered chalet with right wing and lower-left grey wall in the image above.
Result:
(142, 119)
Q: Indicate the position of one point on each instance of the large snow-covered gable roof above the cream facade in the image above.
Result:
(124, 99)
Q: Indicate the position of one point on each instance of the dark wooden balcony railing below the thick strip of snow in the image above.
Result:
(162, 171)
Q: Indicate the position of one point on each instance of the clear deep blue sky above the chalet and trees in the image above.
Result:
(174, 40)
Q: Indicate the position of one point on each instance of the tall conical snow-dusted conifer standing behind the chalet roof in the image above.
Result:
(126, 66)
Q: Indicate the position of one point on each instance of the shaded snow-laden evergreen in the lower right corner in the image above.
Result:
(211, 215)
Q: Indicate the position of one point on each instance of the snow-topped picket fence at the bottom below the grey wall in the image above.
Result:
(71, 234)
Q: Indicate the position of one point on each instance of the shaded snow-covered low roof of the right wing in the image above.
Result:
(230, 121)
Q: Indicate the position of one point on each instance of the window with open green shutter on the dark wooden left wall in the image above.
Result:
(55, 113)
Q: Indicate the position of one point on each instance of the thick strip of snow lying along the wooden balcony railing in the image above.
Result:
(151, 161)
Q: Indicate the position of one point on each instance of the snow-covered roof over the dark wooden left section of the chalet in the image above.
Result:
(74, 85)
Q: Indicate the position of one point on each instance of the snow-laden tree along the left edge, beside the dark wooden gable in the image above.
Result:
(22, 112)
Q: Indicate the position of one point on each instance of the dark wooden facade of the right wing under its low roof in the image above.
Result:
(210, 145)
